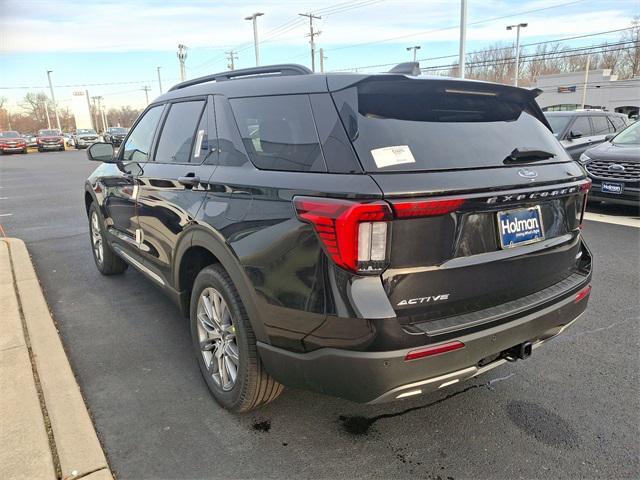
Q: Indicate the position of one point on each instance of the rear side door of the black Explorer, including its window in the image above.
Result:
(173, 185)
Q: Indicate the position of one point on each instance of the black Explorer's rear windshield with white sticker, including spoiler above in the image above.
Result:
(413, 125)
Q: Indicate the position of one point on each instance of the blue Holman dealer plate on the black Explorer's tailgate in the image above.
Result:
(520, 227)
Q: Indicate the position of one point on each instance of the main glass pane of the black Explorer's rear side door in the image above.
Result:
(178, 132)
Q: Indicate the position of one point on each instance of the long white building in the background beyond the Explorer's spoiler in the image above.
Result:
(564, 91)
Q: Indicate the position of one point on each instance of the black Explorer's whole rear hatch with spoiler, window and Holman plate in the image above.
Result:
(464, 236)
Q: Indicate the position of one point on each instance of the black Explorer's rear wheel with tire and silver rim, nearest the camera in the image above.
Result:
(225, 344)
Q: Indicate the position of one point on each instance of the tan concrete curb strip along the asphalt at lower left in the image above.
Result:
(74, 446)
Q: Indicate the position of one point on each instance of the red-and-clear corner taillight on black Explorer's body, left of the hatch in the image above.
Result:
(354, 234)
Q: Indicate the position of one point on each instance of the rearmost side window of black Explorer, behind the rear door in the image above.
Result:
(279, 133)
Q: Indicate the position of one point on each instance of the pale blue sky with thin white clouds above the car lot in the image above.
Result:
(112, 48)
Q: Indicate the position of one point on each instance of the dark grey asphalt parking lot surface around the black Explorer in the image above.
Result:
(570, 411)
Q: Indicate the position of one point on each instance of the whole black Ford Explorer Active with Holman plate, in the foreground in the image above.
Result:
(372, 237)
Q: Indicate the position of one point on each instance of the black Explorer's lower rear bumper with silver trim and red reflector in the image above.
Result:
(376, 377)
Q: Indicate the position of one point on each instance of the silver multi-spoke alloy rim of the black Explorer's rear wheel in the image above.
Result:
(217, 338)
